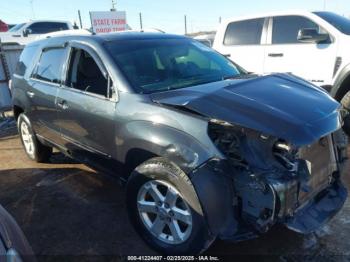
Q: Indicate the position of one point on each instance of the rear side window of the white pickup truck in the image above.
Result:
(246, 32)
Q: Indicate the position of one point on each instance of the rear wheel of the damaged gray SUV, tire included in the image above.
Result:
(34, 149)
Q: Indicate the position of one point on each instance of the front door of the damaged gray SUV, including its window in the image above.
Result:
(86, 108)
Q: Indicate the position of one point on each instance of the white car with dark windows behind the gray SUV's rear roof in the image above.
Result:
(25, 33)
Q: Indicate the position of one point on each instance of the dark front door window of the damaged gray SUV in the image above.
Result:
(84, 74)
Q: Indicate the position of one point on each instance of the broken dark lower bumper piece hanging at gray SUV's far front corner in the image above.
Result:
(319, 210)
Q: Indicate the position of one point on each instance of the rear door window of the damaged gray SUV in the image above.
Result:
(49, 67)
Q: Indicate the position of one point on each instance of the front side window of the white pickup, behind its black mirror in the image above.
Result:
(286, 28)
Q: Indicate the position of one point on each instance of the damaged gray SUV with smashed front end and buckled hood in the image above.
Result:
(205, 149)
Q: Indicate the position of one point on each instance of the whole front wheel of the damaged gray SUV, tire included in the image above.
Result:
(165, 211)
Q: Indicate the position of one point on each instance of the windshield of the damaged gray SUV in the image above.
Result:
(155, 65)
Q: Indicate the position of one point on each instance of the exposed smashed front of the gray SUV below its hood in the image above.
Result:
(273, 181)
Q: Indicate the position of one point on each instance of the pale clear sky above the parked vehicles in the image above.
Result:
(162, 14)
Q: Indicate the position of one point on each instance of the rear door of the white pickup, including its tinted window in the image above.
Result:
(243, 43)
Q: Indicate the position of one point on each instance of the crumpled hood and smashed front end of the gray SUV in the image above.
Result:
(279, 154)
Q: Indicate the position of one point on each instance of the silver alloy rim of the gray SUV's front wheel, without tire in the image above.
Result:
(164, 212)
